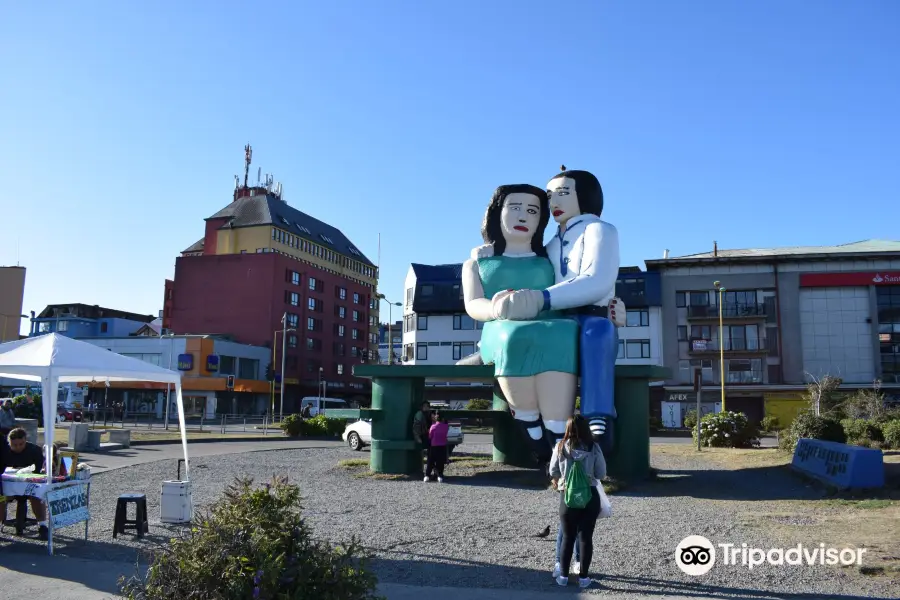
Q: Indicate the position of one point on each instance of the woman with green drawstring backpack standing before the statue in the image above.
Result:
(577, 466)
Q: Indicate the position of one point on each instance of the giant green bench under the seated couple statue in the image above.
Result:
(398, 392)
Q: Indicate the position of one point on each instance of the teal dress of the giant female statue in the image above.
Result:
(525, 348)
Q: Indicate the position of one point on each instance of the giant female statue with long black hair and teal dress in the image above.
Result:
(535, 360)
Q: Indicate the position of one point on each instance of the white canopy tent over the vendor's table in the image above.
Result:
(52, 359)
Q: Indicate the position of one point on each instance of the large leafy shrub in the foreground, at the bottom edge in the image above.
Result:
(254, 543)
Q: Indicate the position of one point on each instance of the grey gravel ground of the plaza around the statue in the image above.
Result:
(478, 528)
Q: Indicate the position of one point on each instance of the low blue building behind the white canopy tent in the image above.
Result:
(82, 321)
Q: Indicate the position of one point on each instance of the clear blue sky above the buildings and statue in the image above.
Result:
(764, 123)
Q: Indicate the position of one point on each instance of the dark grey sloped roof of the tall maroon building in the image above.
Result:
(267, 209)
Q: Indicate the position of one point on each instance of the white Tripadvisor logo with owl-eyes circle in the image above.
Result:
(696, 555)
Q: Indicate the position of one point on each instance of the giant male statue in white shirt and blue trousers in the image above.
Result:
(585, 255)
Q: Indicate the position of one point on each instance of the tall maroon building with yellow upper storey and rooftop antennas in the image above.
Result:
(259, 259)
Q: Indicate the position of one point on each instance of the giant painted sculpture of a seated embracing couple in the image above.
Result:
(550, 313)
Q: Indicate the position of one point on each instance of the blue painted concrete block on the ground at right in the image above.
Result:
(840, 465)
